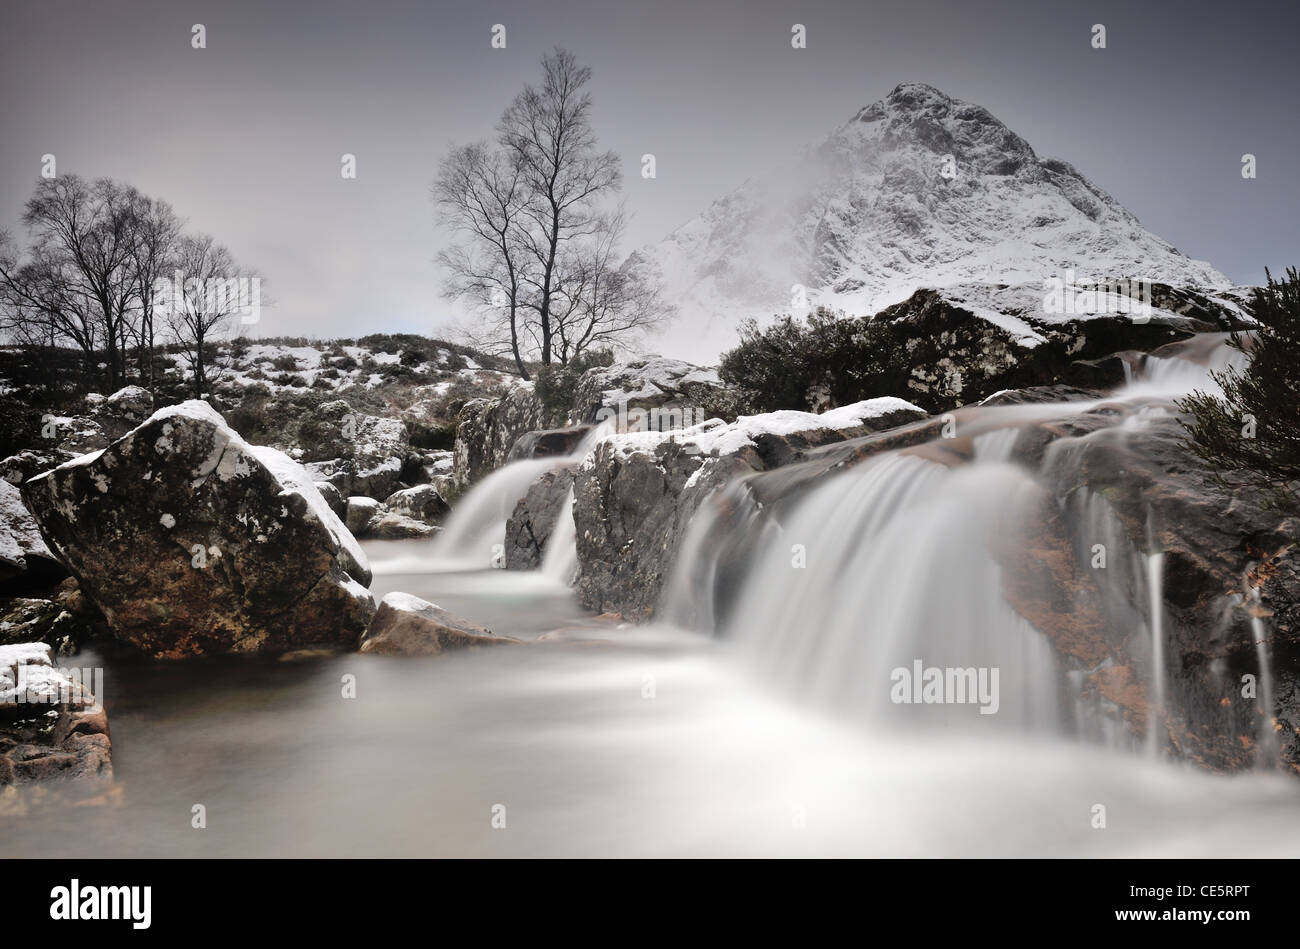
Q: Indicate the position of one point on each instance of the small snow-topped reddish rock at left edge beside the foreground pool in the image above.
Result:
(53, 726)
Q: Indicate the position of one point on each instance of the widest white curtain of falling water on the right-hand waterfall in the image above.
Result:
(887, 571)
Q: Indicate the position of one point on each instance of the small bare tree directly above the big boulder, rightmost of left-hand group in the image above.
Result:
(202, 305)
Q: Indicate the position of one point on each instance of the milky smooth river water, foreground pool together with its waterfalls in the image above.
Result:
(772, 729)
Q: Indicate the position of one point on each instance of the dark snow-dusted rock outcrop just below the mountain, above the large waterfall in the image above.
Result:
(961, 357)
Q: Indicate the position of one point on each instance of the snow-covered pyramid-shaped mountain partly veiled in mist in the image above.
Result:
(917, 190)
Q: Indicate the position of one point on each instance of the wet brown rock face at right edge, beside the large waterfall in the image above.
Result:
(1228, 557)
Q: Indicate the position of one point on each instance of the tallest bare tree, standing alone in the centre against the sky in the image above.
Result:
(538, 242)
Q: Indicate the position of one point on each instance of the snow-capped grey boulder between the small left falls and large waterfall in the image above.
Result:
(636, 493)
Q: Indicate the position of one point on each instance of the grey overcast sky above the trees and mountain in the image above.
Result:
(245, 137)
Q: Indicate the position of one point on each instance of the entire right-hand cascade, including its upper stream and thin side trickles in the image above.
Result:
(903, 565)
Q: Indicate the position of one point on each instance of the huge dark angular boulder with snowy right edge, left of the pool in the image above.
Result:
(193, 543)
